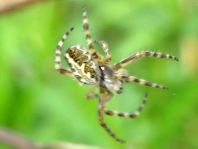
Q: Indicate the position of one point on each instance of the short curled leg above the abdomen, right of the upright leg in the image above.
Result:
(105, 47)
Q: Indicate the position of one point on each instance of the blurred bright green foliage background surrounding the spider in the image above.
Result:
(46, 107)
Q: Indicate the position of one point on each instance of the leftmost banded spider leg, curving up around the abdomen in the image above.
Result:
(58, 55)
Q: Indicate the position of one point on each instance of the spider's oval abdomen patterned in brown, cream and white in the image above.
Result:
(83, 68)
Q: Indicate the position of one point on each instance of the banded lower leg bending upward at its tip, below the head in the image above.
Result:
(126, 114)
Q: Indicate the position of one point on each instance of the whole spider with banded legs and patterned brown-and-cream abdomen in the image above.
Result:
(91, 68)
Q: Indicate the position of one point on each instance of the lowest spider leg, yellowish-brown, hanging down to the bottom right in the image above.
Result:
(101, 111)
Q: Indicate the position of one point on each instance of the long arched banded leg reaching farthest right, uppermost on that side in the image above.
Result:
(141, 54)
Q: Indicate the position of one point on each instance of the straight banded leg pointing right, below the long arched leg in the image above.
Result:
(142, 82)
